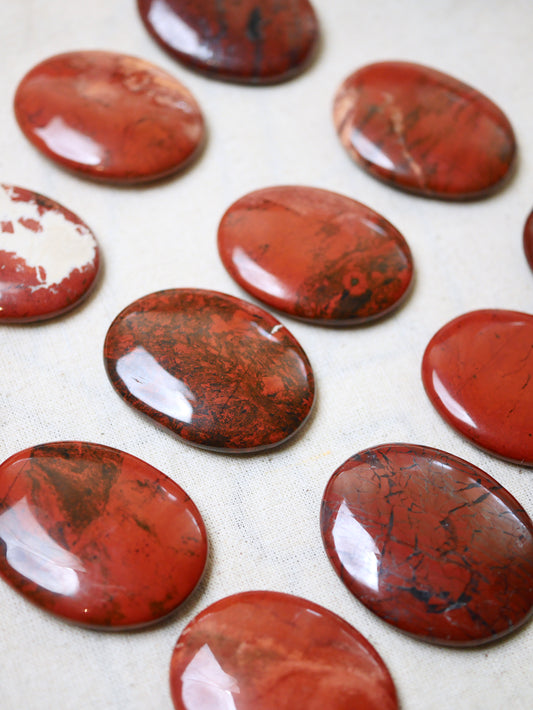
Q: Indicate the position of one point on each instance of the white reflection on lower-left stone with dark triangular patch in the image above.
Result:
(32, 553)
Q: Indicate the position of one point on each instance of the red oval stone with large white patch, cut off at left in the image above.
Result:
(48, 257)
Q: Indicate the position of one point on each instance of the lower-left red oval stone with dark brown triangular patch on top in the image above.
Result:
(97, 536)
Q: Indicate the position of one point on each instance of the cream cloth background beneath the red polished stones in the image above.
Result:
(261, 511)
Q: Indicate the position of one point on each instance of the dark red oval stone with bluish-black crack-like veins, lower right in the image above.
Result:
(430, 543)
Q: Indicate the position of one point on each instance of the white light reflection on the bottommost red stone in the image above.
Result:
(205, 685)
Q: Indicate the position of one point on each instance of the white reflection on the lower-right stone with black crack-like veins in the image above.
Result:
(356, 548)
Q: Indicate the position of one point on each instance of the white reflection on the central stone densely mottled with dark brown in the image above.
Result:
(148, 381)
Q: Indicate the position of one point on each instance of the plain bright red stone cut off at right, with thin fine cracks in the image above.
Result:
(478, 374)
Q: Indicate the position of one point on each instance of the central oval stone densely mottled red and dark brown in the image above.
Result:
(219, 372)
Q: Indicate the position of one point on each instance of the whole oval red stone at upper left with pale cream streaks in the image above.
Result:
(109, 116)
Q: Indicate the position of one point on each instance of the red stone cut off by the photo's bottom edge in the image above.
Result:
(266, 650)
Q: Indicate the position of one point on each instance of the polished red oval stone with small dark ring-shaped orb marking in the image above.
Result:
(315, 254)
